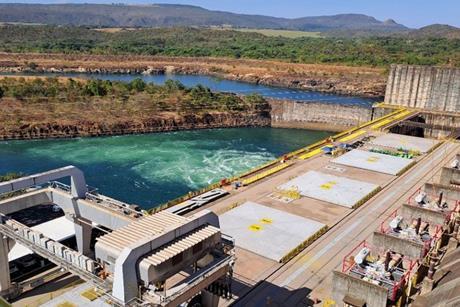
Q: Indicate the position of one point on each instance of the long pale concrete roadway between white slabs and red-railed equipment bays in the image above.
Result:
(311, 271)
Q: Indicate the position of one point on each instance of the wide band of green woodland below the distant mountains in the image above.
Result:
(377, 51)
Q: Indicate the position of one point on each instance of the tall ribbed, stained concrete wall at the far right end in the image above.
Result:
(424, 87)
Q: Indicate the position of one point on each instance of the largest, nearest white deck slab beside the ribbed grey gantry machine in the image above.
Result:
(267, 232)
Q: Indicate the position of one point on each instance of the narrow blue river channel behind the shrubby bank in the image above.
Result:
(223, 85)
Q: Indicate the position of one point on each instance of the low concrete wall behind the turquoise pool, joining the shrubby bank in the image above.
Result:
(317, 115)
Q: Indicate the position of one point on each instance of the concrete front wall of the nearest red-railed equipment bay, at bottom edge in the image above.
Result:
(343, 285)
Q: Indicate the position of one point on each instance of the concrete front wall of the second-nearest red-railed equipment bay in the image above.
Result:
(406, 247)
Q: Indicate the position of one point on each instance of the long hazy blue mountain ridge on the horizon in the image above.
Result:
(168, 15)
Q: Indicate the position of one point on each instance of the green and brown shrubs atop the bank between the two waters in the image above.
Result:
(173, 96)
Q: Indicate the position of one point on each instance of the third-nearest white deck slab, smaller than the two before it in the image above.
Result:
(373, 161)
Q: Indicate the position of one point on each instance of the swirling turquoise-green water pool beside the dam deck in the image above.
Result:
(153, 168)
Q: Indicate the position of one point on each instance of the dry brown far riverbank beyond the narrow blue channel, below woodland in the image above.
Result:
(356, 81)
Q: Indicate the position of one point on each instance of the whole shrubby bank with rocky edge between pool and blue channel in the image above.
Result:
(58, 108)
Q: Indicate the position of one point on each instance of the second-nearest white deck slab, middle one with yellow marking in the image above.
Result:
(337, 190)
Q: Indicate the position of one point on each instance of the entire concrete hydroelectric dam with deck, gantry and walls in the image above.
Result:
(365, 217)
